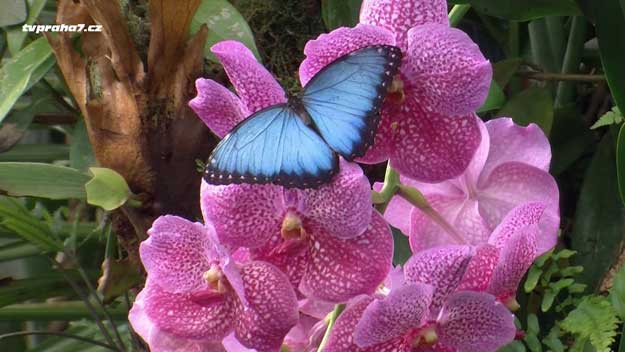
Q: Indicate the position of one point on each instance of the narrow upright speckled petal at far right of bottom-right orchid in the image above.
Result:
(516, 257)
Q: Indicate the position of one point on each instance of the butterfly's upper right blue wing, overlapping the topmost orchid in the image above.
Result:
(344, 98)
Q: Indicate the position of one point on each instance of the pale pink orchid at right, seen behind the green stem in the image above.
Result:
(510, 168)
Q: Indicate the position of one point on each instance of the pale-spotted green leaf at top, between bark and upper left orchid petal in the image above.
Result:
(224, 22)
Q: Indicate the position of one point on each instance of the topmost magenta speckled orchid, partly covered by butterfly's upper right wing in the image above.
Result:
(427, 130)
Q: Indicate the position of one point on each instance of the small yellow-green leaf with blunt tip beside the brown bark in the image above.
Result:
(107, 189)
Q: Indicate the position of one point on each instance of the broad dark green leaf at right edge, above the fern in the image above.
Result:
(599, 222)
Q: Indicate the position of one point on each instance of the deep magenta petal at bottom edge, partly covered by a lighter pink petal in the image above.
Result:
(341, 337)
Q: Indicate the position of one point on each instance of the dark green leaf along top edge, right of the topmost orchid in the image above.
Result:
(525, 10)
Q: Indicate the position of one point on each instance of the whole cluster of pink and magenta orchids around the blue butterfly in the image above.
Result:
(267, 265)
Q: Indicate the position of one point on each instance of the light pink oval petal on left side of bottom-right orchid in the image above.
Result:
(404, 309)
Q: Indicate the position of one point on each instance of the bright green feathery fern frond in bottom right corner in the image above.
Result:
(595, 319)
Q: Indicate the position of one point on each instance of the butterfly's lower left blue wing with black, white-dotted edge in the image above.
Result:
(272, 146)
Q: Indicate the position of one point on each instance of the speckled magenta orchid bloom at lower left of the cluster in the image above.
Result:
(196, 293)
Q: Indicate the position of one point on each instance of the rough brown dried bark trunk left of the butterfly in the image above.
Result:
(136, 113)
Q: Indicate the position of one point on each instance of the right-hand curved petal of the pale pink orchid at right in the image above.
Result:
(514, 183)
